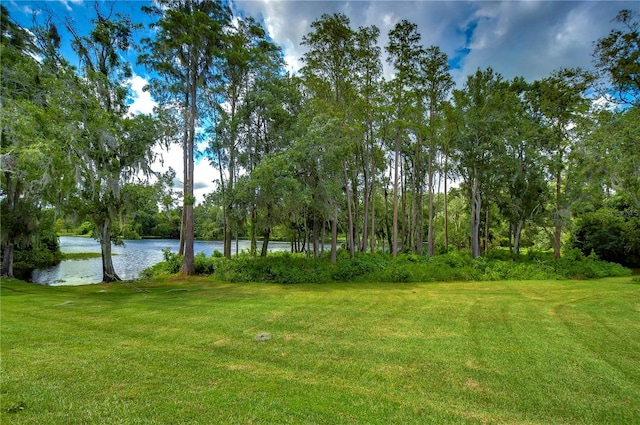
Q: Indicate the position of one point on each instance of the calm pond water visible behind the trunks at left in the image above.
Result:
(129, 261)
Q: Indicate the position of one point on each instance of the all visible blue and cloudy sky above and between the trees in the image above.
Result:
(516, 38)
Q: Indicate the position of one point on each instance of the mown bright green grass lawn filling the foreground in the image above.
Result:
(185, 352)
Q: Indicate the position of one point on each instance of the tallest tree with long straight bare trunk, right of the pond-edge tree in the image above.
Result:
(185, 53)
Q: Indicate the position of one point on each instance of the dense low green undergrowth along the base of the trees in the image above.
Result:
(285, 267)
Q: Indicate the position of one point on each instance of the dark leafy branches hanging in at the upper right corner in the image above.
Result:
(617, 59)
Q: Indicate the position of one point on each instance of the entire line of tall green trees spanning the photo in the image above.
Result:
(336, 150)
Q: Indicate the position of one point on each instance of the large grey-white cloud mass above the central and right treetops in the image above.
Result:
(515, 38)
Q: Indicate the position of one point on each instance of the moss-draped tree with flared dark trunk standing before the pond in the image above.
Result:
(107, 148)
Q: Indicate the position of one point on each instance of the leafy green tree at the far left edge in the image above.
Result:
(30, 161)
